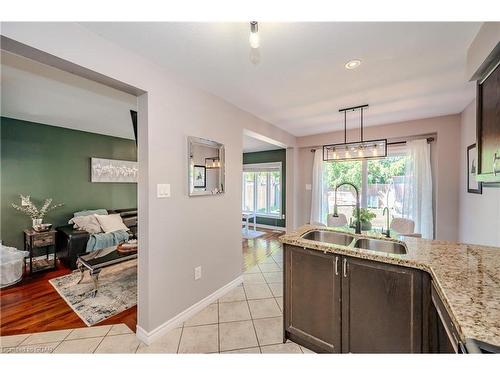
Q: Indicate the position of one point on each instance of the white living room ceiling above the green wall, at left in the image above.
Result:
(39, 93)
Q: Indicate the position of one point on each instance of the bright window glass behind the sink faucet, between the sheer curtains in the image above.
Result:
(380, 183)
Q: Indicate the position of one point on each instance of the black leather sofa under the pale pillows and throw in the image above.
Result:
(70, 242)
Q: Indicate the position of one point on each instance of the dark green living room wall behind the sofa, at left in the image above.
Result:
(51, 162)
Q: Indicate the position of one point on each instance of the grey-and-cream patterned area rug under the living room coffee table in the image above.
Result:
(117, 292)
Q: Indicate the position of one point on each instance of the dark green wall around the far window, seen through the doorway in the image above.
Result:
(272, 156)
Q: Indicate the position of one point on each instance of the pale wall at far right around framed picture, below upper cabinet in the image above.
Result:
(479, 220)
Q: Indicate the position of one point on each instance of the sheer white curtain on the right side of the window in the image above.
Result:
(417, 198)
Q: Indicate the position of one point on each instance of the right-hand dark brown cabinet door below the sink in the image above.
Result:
(381, 308)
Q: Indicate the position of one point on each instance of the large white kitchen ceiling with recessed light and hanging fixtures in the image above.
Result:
(408, 70)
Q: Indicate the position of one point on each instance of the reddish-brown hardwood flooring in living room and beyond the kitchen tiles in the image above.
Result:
(35, 306)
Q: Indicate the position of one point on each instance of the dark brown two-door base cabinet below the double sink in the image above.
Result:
(341, 304)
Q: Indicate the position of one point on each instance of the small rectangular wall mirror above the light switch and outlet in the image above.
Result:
(206, 166)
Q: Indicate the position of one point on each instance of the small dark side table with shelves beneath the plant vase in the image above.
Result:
(36, 240)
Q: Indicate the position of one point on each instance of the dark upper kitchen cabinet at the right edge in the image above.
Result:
(488, 125)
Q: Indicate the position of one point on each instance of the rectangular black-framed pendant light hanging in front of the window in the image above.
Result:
(371, 149)
